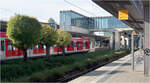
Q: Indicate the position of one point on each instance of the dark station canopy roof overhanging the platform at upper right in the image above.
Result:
(135, 10)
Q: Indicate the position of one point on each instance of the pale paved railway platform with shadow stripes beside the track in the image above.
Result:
(118, 71)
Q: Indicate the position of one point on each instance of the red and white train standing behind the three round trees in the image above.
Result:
(8, 51)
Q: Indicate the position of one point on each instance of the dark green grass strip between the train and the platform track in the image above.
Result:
(57, 66)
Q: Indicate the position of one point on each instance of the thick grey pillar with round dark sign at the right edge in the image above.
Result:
(147, 41)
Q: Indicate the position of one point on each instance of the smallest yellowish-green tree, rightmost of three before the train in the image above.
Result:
(64, 38)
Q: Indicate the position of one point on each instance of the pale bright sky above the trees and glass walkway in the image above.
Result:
(45, 9)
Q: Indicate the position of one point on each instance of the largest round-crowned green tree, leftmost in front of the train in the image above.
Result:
(23, 31)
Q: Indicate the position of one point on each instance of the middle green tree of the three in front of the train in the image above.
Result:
(49, 37)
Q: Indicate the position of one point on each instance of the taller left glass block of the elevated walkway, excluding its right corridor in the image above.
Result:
(71, 18)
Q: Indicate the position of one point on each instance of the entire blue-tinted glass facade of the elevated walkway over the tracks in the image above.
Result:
(71, 18)
